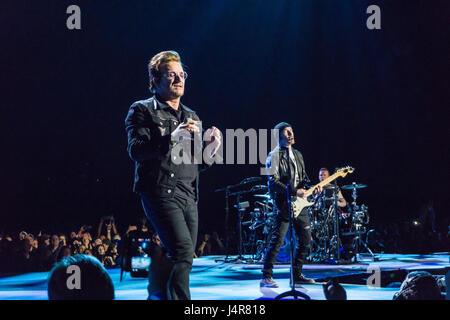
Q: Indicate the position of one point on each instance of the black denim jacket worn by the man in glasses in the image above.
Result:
(150, 146)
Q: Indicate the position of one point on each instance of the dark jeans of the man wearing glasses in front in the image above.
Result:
(176, 222)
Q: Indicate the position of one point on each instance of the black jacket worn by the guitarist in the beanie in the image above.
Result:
(277, 161)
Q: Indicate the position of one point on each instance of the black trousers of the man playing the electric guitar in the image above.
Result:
(302, 229)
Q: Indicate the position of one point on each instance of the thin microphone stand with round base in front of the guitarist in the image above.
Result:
(294, 293)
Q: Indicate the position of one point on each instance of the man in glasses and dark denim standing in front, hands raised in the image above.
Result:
(168, 188)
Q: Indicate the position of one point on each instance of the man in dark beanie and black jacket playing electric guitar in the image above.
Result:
(287, 162)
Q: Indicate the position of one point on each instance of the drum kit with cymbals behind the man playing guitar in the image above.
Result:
(336, 234)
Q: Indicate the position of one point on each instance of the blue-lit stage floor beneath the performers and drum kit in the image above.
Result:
(213, 279)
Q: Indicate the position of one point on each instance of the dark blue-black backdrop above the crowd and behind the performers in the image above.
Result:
(373, 99)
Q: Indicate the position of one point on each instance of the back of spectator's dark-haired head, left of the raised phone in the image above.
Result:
(95, 282)
